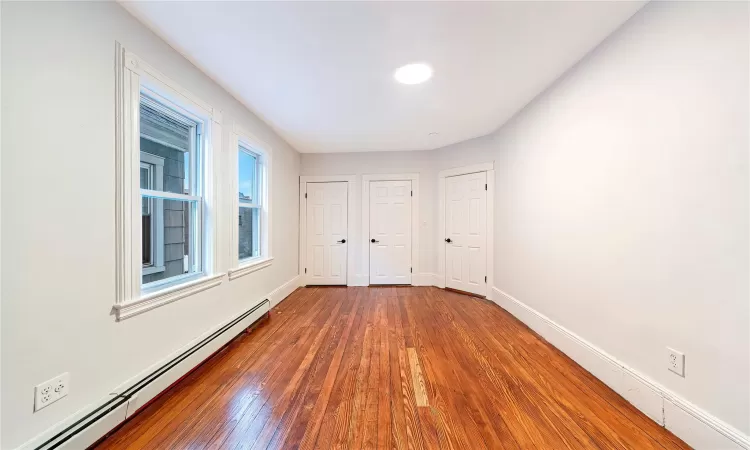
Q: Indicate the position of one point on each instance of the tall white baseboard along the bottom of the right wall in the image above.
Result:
(690, 423)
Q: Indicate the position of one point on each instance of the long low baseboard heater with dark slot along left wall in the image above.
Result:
(70, 433)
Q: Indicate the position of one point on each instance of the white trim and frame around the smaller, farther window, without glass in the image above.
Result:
(241, 138)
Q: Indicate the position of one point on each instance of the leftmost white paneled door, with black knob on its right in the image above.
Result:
(327, 242)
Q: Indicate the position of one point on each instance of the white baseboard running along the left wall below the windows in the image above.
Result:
(101, 427)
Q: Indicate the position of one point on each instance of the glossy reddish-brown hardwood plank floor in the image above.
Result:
(390, 367)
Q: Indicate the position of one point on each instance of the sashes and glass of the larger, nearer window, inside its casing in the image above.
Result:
(170, 134)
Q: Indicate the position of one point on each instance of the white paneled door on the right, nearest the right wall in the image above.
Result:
(466, 227)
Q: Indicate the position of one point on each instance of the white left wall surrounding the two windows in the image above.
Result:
(58, 191)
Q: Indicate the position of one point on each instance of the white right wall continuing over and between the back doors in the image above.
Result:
(622, 207)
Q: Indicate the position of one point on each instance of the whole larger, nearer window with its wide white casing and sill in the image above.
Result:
(165, 226)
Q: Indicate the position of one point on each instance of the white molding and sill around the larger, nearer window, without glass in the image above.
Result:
(132, 76)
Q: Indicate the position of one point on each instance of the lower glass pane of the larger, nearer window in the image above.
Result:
(169, 240)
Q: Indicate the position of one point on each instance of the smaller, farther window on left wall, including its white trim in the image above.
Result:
(251, 230)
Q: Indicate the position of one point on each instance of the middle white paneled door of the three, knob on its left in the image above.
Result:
(390, 232)
